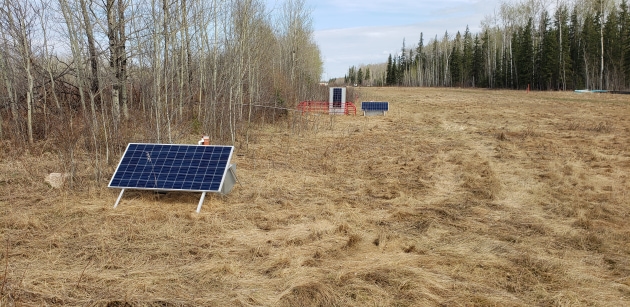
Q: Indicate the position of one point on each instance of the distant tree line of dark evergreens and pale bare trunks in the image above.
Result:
(579, 45)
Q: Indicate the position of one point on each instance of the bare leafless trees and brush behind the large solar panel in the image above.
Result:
(97, 74)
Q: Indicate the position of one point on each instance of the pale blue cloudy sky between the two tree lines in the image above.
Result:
(354, 32)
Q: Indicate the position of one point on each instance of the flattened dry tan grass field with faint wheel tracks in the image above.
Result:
(454, 198)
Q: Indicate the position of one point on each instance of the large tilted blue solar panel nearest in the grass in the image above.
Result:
(169, 167)
